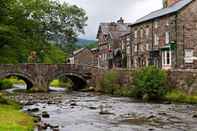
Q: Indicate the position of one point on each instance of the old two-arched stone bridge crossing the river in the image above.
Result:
(39, 76)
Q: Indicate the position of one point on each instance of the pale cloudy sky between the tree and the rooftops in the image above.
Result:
(111, 10)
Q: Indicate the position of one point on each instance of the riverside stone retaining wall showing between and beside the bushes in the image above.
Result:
(182, 79)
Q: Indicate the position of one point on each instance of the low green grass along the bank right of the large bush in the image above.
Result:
(181, 97)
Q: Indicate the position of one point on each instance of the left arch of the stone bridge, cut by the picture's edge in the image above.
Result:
(27, 79)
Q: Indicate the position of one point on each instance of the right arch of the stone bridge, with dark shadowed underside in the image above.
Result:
(78, 80)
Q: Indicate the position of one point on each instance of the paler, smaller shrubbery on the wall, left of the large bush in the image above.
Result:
(111, 84)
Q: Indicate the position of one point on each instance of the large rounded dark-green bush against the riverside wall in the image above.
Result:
(149, 83)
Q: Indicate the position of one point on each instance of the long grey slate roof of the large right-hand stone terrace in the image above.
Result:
(165, 11)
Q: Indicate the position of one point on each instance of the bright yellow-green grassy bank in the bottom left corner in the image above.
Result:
(12, 119)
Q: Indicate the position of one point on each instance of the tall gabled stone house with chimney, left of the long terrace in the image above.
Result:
(109, 44)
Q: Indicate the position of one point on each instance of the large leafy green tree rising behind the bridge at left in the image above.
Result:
(26, 25)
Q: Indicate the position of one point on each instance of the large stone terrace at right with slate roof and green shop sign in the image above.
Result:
(167, 37)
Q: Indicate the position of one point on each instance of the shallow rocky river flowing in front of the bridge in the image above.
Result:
(85, 111)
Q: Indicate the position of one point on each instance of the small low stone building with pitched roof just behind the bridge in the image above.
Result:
(83, 56)
